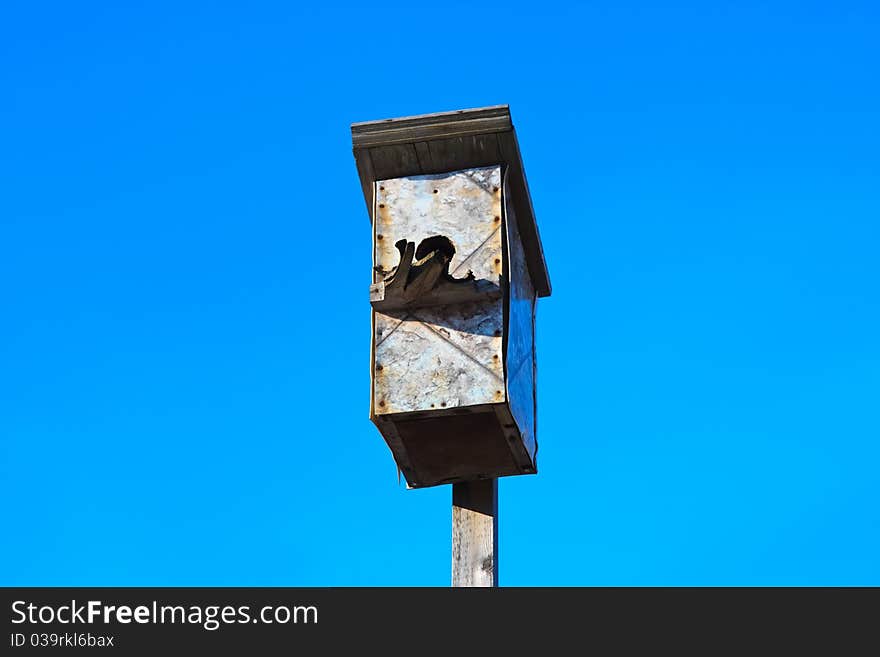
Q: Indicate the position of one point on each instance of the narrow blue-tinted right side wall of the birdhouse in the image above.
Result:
(520, 366)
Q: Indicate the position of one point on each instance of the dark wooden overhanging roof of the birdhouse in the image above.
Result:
(450, 141)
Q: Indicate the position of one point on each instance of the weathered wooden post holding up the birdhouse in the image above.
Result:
(475, 533)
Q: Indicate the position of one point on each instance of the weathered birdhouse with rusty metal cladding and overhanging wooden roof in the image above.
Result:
(457, 270)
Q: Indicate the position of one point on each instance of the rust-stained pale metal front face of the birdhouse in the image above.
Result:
(447, 356)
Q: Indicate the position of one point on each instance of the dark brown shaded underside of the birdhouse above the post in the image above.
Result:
(461, 444)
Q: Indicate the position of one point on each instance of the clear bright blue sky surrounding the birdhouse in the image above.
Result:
(183, 403)
